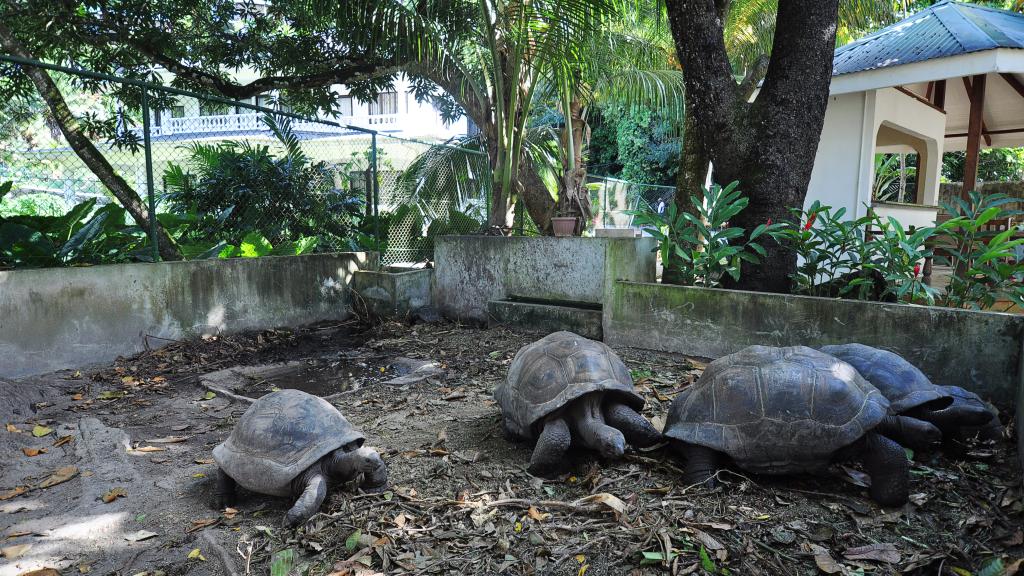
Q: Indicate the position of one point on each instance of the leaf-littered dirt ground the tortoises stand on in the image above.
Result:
(108, 470)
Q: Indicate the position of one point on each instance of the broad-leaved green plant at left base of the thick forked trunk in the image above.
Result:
(702, 245)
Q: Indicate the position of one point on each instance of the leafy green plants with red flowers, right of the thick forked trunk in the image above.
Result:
(833, 250)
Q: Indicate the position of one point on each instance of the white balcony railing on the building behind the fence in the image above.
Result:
(254, 122)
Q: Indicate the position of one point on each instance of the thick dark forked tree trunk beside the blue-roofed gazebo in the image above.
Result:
(769, 145)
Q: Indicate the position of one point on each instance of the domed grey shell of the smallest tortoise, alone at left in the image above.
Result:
(279, 437)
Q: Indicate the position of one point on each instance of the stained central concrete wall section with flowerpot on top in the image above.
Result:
(474, 270)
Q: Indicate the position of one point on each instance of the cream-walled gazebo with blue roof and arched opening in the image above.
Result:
(949, 78)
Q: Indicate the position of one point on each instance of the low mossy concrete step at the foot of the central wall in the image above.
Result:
(542, 318)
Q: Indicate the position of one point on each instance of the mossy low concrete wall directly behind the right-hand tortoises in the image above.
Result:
(979, 351)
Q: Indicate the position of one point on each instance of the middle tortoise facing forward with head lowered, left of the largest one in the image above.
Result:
(565, 390)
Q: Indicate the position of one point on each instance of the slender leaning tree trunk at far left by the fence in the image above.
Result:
(83, 147)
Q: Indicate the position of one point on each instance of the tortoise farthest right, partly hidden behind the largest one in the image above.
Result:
(911, 393)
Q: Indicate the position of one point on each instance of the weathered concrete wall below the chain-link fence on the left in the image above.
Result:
(62, 318)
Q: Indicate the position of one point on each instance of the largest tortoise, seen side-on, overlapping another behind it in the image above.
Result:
(787, 410)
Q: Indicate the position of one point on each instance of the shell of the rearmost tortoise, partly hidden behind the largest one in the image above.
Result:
(898, 380)
